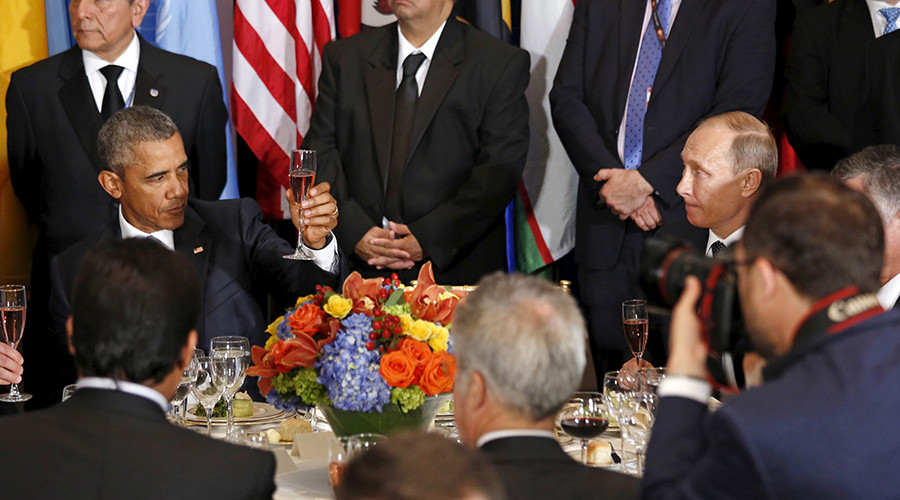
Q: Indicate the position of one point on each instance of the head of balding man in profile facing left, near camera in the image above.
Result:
(727, 159)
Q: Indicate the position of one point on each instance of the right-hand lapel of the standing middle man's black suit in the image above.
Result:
(450, 51)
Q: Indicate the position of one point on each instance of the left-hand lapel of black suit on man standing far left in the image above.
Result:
(78, 101)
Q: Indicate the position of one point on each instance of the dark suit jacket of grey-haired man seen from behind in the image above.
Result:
(535, 467)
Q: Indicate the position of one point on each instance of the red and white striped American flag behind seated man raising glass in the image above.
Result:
(277, 59)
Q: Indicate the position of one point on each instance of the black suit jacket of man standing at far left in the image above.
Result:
(53, 124)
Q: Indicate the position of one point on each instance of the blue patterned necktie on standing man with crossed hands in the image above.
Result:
(644, 74)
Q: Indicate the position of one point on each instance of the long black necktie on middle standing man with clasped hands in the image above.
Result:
(404, 113)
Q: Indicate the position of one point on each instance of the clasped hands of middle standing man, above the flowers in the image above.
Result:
(393, 248)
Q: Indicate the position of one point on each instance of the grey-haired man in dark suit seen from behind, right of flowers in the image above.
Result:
(520, 343)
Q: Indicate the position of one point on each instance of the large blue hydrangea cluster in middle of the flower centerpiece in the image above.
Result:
(350, 372)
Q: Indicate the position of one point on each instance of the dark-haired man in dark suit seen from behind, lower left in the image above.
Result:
(131, 334)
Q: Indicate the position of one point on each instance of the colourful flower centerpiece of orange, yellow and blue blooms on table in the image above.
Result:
(374, 358)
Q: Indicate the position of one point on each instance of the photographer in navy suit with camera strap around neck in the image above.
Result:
(821, 426)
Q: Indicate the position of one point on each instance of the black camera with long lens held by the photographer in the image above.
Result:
(665, 265)
